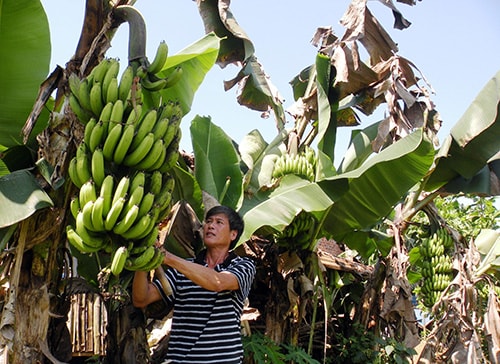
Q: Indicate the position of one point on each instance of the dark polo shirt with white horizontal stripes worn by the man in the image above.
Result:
(206, 325)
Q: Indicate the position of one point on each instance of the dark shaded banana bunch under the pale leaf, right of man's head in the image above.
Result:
(298, 235)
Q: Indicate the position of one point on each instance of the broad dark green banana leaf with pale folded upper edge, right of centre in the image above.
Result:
(378, 185)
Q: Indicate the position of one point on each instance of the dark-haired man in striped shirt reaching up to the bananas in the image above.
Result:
(208, 294)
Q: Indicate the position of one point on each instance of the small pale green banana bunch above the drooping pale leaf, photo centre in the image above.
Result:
(302, 164)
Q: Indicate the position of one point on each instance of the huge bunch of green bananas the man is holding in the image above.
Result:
(122, 166)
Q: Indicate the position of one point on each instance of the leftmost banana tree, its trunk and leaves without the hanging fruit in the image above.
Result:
(43, 266)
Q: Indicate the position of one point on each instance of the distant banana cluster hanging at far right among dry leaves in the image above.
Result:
(435, 266)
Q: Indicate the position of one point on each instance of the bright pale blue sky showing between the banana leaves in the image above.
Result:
(454, 43)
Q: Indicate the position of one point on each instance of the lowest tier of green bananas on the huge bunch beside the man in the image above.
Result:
(123, 212)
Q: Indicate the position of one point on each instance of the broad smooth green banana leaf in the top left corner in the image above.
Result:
(24, 60)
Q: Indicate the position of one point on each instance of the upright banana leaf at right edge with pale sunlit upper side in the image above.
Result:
(471, 145)
